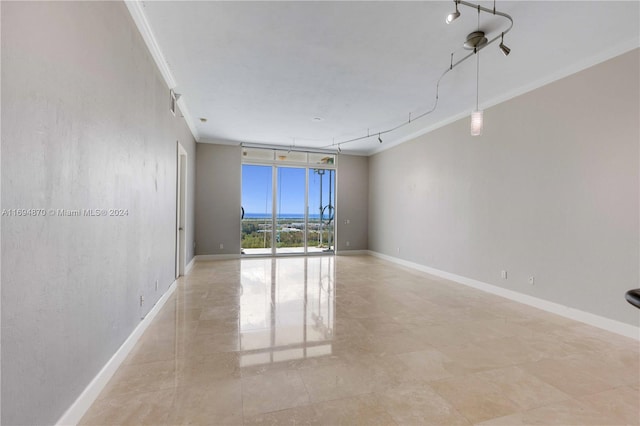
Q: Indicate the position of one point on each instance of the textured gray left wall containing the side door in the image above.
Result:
(85, 124)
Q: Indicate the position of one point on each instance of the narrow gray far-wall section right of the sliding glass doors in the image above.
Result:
(352, 200)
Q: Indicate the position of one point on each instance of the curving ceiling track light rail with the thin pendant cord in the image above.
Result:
(451, 67)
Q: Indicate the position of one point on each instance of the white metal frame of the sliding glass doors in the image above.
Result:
(306, 166)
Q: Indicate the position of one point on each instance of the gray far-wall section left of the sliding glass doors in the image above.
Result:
(218, 183)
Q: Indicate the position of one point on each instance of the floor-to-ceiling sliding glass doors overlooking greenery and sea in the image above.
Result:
(288, 202)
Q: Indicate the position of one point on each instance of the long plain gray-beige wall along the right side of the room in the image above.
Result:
(550, 190)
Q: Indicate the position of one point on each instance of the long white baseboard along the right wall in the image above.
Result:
(608, 324)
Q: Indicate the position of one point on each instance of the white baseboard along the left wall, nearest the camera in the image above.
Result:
(81, 405)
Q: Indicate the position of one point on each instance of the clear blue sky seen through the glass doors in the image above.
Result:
(257, 191)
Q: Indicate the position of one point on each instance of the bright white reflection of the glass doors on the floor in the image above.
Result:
(286, 310)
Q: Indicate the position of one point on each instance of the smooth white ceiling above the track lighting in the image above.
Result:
(263, 72)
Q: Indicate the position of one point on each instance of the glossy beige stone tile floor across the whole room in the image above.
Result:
(357, 340)
